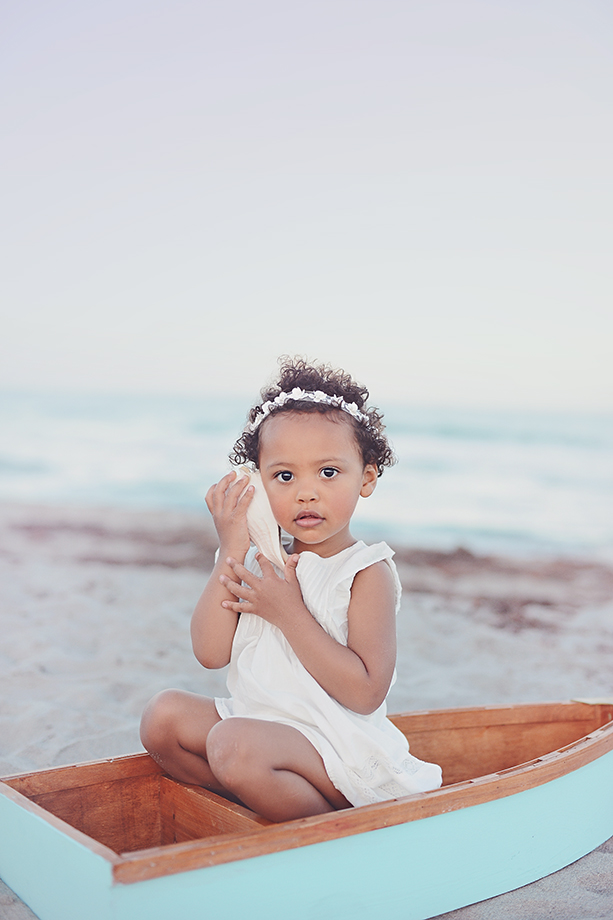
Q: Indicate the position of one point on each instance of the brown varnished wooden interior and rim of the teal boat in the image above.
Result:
(136, 816)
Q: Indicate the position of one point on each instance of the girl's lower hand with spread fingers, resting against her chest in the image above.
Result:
(271, 597)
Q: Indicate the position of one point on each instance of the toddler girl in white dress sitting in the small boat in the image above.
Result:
(312, 647)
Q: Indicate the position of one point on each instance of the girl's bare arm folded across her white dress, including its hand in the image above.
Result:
(357, 675)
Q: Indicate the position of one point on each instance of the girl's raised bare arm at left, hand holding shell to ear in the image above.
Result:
(213, 626)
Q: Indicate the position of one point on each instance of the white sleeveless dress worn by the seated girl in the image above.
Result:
(366, 757)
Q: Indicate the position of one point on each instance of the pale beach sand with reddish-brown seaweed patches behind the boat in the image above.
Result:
(95, 607)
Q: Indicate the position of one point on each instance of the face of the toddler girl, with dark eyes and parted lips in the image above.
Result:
(313, 473)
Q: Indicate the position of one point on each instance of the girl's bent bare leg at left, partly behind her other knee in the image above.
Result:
(174, 729)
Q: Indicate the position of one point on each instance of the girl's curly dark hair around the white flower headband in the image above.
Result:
(298, 372)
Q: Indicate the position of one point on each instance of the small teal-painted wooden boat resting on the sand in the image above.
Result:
(527, 790)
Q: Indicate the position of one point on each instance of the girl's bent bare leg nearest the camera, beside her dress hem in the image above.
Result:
(272, 768)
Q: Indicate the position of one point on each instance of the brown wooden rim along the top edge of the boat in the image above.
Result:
(153, 862)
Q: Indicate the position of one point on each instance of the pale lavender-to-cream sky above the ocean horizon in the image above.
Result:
(420, 192)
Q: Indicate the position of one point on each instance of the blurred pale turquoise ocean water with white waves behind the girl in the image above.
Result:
(523, 483)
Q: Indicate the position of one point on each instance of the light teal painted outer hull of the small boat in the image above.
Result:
(410, 871)
